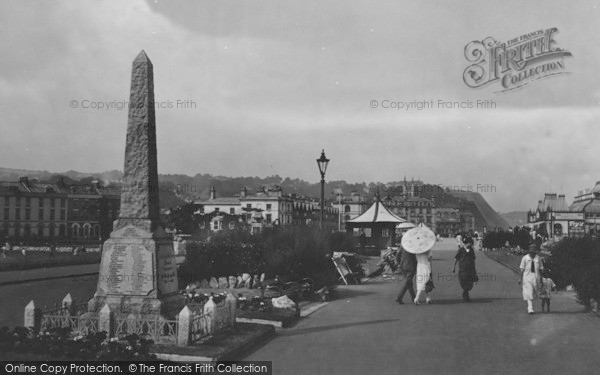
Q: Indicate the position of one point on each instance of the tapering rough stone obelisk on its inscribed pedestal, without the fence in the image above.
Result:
(138, 272)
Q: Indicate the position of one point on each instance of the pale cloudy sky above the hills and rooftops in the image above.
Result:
(271, 83)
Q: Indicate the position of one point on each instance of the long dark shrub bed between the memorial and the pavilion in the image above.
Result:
(291, 253)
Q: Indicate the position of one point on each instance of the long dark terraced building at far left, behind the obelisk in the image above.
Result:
(35, 212)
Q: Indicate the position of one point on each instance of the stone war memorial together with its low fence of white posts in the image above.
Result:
(137, 290)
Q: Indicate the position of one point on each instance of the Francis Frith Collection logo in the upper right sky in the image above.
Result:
(515, 63)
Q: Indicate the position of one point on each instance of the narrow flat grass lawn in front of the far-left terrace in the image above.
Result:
(39, 259)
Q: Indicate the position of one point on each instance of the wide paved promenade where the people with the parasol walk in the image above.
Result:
(365, 332)
